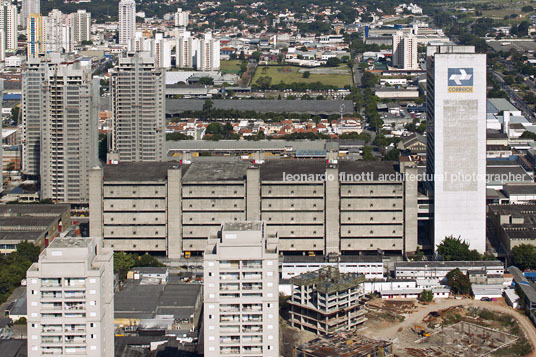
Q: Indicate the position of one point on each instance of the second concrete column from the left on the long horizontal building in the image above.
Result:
(174, 213)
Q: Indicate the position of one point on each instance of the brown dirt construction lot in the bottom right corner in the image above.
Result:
(397, 321)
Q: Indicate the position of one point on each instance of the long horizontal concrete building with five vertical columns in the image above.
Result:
(348, 207)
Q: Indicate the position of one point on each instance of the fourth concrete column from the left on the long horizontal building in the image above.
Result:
(331, 210)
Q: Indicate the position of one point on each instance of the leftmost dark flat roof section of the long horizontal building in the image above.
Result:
(138, 171)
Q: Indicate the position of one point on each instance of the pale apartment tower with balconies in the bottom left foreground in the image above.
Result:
(70, 303)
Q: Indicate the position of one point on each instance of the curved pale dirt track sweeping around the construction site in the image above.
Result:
(416, 317)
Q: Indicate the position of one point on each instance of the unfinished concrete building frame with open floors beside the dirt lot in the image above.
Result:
(326, 301)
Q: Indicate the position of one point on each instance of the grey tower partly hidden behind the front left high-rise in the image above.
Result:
(33, 111)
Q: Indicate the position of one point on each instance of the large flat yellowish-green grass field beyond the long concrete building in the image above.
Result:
(289, 74)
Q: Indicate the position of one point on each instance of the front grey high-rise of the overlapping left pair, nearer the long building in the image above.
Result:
(69, 137)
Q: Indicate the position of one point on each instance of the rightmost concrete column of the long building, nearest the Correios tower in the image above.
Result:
(410, 210)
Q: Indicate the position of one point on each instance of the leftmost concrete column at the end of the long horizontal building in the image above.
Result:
(96, 178)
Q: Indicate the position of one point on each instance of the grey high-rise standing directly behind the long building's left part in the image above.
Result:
(138, 108)
